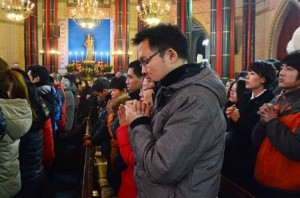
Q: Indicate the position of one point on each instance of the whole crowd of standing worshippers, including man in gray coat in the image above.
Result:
(165, 127)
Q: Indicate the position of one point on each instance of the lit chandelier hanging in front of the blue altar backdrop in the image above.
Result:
(87, 14)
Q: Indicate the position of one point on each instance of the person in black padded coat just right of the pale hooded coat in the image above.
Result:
(31, 147)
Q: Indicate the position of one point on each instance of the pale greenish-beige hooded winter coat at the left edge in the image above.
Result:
(18, 116)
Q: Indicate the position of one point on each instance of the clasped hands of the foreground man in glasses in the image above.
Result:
(132, 110)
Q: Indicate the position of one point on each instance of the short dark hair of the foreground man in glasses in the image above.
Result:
(162, 37)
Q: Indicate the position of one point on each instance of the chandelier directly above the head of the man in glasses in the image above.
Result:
(153, 12)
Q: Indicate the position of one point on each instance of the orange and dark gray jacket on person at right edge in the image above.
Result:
(278, 161)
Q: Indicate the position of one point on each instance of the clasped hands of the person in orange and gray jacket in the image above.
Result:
(267, 112)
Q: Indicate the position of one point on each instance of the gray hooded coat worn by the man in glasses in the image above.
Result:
(181, 153)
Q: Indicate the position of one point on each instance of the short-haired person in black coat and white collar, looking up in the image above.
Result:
(244, 117)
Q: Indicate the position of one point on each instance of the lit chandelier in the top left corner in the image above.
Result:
(16, 9)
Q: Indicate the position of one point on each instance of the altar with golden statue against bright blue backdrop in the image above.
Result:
(88, 51)
